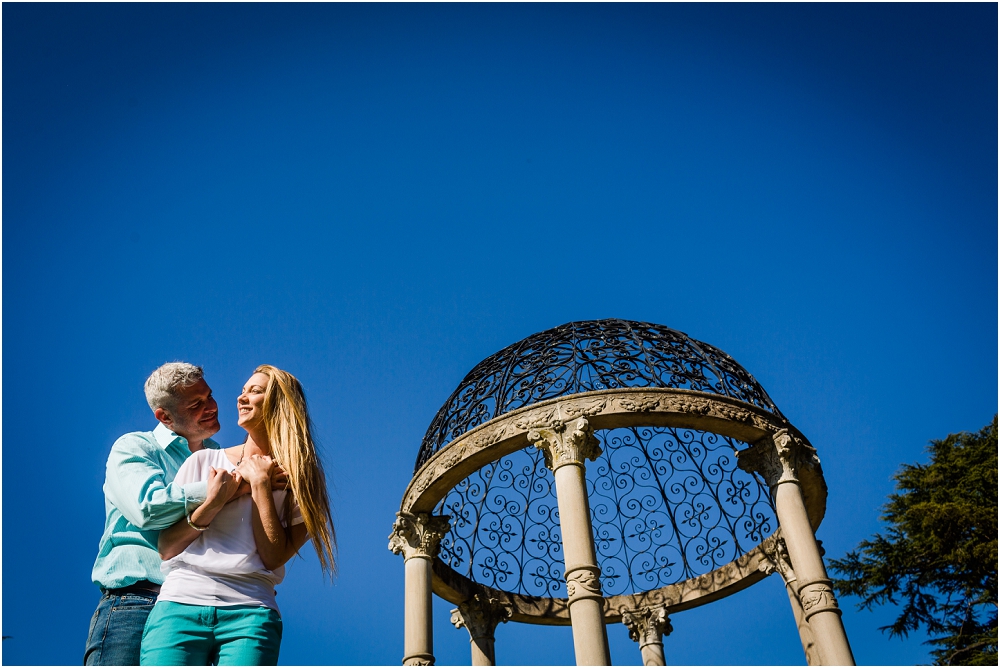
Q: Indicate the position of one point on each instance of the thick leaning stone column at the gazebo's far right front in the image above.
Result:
(778, 460)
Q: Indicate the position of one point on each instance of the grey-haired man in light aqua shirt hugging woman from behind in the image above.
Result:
(140, 500)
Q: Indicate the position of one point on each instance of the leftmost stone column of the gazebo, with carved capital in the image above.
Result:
(417, 537)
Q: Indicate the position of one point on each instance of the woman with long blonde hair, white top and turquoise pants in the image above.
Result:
(217, 604)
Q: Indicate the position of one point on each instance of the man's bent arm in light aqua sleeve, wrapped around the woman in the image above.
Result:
(135, 485)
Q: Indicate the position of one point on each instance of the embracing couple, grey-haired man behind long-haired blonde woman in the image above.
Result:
(196, 536)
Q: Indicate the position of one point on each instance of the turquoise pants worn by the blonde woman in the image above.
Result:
(177, 634)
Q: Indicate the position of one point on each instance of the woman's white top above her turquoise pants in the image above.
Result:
(221, 567)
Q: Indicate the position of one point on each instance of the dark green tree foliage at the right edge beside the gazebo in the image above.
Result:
(938, 557)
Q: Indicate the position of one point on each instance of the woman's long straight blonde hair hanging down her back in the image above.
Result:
(289, 430)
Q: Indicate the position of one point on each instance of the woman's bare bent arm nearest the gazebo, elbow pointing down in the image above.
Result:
(275, 543)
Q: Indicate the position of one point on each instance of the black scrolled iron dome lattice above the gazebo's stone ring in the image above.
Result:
(582, 357)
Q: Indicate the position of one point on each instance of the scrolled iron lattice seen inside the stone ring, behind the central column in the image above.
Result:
(667, 505)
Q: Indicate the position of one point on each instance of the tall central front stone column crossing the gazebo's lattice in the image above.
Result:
(565, 450)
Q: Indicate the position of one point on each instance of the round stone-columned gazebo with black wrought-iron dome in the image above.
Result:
(607, 472)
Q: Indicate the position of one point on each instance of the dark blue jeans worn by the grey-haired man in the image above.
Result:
(116, 629)
